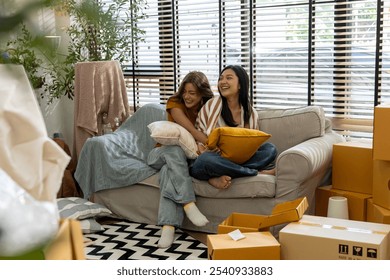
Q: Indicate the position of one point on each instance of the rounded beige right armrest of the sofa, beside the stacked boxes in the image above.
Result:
(308, 160)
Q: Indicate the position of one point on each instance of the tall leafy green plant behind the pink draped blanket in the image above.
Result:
(98, 32)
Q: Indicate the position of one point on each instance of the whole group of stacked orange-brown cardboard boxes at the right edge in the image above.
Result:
(361, 172)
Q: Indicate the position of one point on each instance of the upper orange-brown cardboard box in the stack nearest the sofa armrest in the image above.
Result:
(352, 167)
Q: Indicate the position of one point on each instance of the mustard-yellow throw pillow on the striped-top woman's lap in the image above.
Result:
(237, 144)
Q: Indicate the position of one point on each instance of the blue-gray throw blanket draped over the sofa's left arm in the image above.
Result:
(119, 159)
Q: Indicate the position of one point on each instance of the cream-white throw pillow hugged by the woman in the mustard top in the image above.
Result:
(170, 133)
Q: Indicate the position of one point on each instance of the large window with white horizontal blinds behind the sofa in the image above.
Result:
(335, 54)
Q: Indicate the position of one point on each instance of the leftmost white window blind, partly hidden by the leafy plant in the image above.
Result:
(150, 76)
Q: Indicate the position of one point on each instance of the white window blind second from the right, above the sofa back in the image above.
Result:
(280, 53)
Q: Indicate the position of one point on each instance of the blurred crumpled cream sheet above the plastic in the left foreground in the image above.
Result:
(33, 160)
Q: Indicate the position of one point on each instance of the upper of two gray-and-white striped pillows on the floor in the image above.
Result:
(79, 208)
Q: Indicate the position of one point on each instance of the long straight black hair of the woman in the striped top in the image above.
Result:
(243, 97)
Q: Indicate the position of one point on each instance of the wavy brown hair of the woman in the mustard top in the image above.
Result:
(200, 81)
